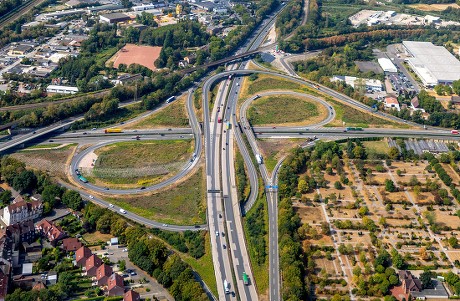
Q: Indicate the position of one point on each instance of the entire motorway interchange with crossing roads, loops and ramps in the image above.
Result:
(229, 251)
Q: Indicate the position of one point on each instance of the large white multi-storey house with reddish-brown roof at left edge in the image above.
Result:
(21, 211)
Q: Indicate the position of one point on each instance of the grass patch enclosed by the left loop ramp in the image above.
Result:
(139, 162)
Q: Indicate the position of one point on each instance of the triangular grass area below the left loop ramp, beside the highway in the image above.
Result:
(183, 204)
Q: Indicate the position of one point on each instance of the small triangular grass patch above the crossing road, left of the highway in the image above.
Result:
(174, 115)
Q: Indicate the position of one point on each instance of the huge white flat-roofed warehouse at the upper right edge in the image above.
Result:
(433, 64)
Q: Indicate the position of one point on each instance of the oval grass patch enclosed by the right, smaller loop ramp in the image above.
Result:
(279, 109)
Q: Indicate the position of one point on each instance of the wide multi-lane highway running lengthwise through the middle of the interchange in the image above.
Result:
(221, 187)
